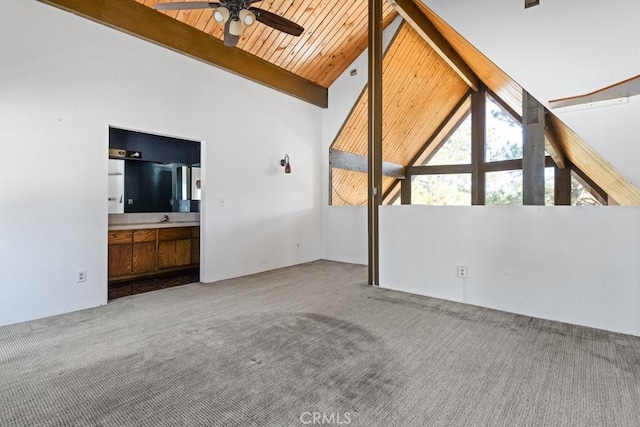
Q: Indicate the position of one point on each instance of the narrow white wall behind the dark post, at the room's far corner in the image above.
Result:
(345, 227)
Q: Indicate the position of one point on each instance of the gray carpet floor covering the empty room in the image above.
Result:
(283, 347)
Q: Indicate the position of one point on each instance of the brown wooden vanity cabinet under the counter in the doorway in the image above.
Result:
(141, 252)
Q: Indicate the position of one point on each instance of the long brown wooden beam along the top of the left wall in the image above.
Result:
(143, 22)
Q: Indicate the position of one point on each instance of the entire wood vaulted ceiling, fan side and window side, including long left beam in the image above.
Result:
(428, 70)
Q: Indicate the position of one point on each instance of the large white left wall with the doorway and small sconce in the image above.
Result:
(63, 81)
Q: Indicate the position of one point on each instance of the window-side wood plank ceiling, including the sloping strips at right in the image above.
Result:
(420, 90)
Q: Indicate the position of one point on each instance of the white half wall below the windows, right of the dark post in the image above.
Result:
(579, 265)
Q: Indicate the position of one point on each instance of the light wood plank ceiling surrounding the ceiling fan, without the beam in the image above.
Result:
(335, 34)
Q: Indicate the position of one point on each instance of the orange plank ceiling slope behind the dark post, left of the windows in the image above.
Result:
(415, 78)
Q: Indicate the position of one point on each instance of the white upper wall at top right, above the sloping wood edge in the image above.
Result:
(560, 49)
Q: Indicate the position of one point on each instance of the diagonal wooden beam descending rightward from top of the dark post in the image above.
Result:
(423, 26)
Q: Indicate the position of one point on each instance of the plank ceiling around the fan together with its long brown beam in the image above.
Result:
(335, 33)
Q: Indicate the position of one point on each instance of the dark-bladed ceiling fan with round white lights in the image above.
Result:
(234, 13)
